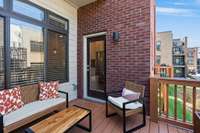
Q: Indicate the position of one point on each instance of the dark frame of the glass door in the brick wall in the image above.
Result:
(95, 94)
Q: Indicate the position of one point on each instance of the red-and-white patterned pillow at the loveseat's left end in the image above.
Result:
(10, 100)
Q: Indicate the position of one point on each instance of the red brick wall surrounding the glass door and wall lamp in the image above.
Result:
(132, 57)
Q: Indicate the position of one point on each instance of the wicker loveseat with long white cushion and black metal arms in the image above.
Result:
(32, 110)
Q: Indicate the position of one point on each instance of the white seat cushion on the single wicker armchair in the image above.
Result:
(118, 101)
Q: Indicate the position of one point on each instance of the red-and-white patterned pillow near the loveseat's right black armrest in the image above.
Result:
(48, 90)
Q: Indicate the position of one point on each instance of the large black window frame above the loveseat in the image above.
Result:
(7, 13)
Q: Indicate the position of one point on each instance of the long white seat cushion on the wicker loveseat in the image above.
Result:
(30, 109)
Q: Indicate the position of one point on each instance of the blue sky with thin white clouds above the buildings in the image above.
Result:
(182, 17)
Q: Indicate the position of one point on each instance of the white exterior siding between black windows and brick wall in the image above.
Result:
(69, 12)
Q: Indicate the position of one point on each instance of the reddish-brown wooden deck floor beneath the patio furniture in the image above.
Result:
(101, 124)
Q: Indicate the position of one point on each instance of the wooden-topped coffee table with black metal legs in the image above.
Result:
(63, 121)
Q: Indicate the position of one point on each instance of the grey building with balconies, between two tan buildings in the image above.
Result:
(179, 59)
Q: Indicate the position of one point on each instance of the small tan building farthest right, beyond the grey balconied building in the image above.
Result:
(191, 60)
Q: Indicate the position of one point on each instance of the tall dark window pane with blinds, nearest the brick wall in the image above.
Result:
(56, 59)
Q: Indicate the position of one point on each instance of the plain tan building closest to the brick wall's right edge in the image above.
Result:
(164, 48)
